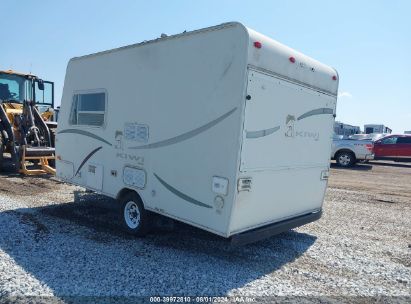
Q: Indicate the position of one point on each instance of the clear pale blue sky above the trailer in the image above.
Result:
(368, 42)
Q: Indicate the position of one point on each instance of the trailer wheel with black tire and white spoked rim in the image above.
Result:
(134, 217)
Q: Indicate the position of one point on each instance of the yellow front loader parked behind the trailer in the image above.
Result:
(27, 129)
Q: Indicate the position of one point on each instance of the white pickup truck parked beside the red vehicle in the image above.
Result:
(347, 152)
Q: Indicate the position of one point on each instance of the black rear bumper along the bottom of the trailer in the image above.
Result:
(273, 229)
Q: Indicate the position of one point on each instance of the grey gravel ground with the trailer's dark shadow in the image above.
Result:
(54, 244)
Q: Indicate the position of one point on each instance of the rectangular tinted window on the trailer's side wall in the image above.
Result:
(88, 109)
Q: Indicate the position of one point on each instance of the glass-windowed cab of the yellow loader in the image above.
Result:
(16, 88)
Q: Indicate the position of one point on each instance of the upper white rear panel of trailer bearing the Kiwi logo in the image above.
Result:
(286, 125)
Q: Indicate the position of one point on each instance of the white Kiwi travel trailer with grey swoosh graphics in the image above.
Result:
(222, 128)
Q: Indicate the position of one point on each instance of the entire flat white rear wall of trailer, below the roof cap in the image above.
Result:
(285, 152)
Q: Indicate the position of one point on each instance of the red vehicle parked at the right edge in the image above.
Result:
(393, 147)
